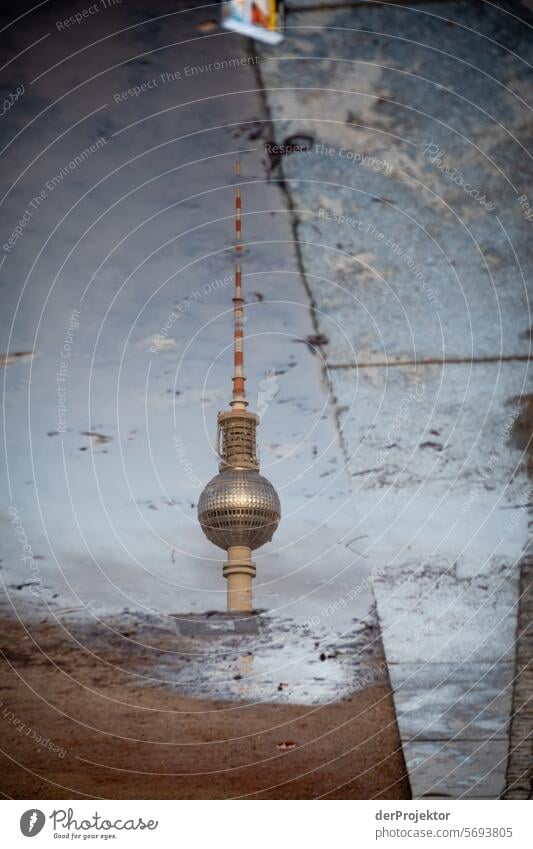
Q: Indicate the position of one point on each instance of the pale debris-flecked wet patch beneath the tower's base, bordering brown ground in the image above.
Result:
(258, 660)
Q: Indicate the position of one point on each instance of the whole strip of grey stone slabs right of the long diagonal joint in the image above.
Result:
(411, 216)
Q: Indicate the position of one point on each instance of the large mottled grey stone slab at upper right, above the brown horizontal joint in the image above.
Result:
(401, 259)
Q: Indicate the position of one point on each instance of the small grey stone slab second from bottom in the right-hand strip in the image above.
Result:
(461, 701)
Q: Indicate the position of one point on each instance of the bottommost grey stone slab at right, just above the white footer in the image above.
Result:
(467, 770)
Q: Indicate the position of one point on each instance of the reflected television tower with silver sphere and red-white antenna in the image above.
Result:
(239, 509)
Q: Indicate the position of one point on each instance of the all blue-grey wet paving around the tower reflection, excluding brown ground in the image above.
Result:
(386, 351)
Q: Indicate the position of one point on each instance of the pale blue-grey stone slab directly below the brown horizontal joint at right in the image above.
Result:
(442, 501)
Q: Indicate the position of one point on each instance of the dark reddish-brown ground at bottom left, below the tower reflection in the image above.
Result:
(79, 718)
